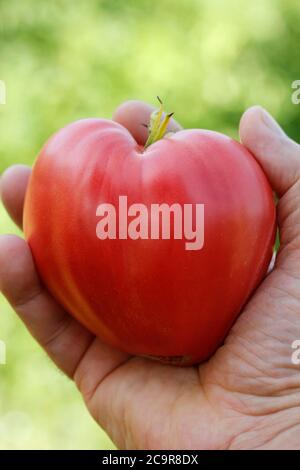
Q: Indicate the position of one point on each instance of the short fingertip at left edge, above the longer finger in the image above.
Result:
(13, 186)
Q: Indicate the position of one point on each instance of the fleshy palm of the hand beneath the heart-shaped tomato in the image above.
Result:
(218, 404)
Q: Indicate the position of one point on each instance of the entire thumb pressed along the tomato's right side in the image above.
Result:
(279, 157)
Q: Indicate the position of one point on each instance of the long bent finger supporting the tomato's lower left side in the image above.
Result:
(63, 338)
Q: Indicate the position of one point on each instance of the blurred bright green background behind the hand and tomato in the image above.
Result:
(64, 60)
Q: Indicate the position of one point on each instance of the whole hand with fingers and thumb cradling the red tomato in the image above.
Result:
(246, 396)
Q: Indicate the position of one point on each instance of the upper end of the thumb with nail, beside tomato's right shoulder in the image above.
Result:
(278, 155)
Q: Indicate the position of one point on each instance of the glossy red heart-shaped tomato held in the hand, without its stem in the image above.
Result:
(150, 297)
